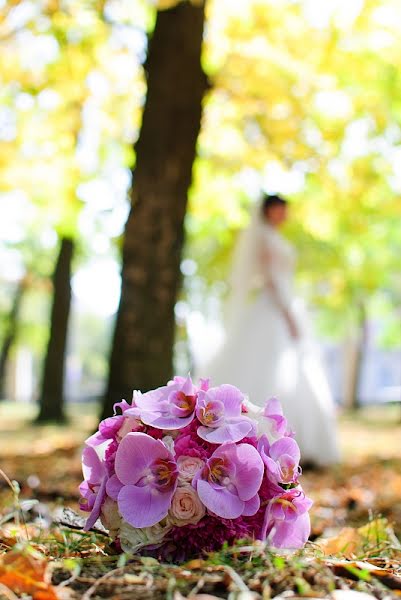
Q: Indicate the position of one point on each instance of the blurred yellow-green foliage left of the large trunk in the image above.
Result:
(70, 102)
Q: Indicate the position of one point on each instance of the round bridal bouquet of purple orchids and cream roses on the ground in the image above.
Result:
(185, 468)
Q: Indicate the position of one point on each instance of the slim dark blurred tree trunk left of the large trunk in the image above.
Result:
(52, 390)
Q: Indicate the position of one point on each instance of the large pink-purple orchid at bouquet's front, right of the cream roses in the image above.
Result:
(228, 484)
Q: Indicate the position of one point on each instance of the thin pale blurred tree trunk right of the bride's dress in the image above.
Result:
(354, 360)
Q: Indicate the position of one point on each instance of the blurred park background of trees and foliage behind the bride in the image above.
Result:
(298, 97)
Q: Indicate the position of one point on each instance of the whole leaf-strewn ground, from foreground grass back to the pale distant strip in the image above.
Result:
(357, 506)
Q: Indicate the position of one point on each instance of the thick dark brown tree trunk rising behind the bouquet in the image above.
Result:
(142, 349)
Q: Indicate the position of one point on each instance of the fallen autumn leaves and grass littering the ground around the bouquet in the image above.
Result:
(354, 552)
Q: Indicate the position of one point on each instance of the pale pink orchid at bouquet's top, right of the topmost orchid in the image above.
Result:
(219, 410)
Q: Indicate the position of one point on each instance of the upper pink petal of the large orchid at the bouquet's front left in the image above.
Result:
(135, 453)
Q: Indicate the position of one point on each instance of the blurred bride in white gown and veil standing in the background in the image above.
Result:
(268, 349)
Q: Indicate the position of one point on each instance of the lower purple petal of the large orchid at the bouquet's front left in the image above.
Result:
(142, 506)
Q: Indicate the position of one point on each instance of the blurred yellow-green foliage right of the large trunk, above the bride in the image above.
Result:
(312, 95)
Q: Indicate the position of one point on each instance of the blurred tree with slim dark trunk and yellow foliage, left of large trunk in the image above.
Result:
(47, 106)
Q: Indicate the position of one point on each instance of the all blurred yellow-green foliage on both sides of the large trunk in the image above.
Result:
(304, 99)
